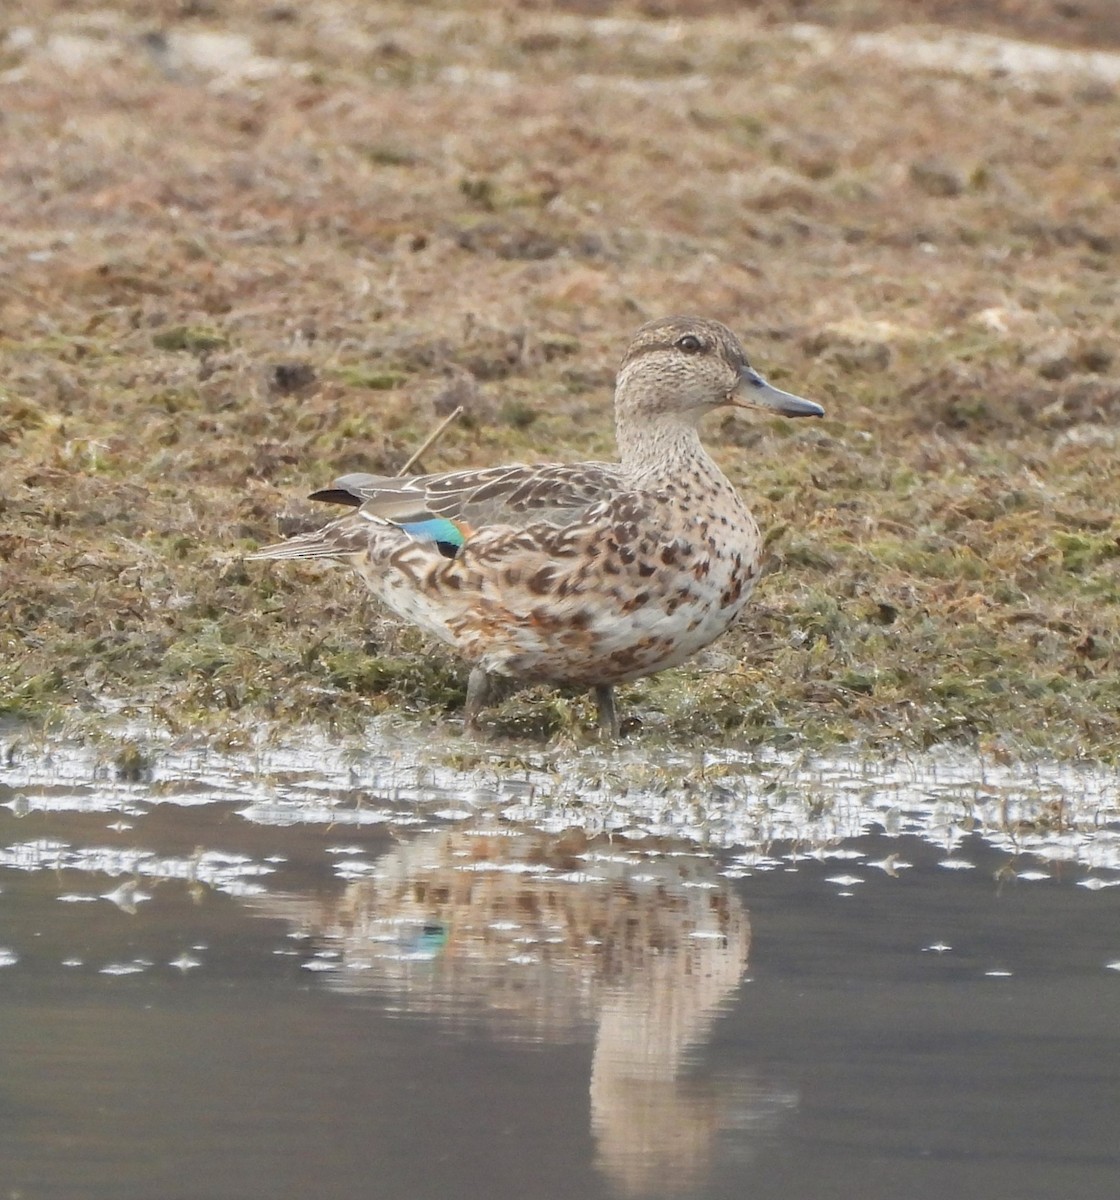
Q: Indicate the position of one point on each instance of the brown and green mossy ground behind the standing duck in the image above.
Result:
(227, 280)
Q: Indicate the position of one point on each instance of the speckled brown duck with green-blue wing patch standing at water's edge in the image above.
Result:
(583, 575)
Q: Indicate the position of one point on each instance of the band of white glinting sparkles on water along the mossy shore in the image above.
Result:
(753, 800)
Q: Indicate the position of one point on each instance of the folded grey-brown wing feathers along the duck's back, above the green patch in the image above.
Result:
(510, 496)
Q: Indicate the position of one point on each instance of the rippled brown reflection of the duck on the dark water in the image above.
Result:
(542, 937)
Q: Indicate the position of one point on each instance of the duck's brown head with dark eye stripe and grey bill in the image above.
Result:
(686, 367)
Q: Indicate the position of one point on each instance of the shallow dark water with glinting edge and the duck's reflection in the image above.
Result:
(312, 971)
